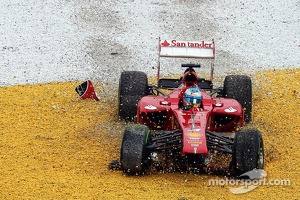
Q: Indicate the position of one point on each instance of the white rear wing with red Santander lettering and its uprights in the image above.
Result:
(186, 49)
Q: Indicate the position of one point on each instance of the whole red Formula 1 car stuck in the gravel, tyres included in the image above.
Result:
(187, 127)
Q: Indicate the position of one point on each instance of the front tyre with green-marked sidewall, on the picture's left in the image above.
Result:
(135, 157)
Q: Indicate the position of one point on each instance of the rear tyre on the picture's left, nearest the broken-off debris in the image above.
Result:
(133, 85)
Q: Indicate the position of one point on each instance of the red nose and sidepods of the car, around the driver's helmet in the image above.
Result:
(164, 113)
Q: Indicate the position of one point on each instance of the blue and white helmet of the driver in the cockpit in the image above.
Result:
(192, 97)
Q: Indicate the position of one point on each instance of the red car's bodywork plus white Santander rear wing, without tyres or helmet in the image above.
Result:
(219, 115)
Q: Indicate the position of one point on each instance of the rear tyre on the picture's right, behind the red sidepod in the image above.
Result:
(239, 87)
